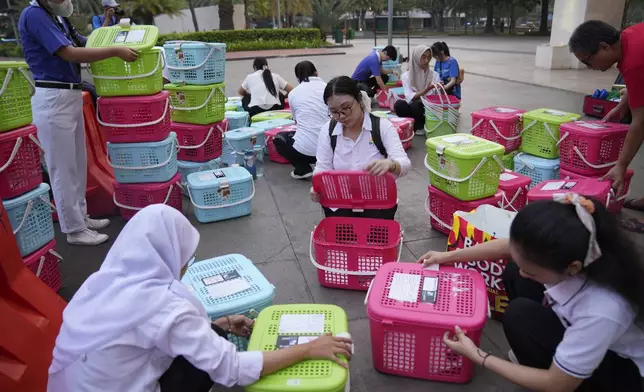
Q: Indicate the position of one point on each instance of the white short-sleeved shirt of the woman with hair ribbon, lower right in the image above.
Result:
(597, 320)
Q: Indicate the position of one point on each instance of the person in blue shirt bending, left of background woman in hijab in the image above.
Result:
(369, 73)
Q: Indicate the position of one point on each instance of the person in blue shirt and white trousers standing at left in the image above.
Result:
(55, 51)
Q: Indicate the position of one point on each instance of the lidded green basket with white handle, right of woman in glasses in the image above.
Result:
(464, 166)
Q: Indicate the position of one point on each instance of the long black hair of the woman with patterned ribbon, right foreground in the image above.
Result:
(551, 235)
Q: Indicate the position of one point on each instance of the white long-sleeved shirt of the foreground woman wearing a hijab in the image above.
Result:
(136, 360)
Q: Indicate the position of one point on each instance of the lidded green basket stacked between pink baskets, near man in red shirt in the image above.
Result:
(540, 133)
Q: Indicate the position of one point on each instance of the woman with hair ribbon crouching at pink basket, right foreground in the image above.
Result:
(585, 335)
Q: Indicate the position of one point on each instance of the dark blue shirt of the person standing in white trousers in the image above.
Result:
(41, 37)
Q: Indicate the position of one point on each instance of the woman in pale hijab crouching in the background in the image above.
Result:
(417, 82)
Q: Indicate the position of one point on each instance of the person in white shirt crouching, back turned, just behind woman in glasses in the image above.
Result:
(310, 113)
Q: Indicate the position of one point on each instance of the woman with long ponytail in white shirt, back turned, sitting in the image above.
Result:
(262, 90)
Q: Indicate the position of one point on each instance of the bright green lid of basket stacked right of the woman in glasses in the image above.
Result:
(462, 145)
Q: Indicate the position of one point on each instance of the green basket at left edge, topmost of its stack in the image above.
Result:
(16, 89)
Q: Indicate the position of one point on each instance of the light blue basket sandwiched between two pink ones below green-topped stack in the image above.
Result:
(135, 163)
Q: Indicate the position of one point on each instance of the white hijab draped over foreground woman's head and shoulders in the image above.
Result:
(138, 277)
